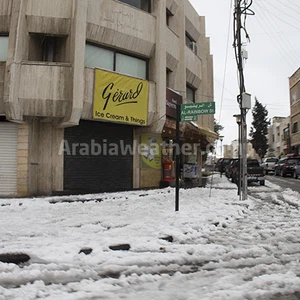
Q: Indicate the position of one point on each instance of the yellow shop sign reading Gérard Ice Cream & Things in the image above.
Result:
(119, 98)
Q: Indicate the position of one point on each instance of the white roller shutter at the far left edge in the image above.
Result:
(8, 158)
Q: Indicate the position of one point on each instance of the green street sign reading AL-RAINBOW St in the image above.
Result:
(195, 109)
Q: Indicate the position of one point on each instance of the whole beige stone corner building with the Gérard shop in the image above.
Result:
(83, 83)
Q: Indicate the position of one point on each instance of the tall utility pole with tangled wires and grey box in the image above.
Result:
(243, 98)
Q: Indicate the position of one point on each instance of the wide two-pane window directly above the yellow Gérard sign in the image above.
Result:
(97, 57)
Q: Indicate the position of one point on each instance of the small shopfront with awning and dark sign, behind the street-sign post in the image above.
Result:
(194, 141)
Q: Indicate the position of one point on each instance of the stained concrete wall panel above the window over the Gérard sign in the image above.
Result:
(122, 26)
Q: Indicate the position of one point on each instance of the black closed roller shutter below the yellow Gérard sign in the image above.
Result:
(89, 170)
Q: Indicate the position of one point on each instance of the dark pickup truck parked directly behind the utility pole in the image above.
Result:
(255, 172)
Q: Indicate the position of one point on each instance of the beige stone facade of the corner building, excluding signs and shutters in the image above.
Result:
(46, 93)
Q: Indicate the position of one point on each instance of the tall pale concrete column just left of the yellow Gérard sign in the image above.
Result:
(77, 48)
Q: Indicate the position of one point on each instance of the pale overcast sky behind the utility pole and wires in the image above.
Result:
(274, 55)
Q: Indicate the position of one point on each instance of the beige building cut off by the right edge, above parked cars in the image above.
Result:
(294, 128)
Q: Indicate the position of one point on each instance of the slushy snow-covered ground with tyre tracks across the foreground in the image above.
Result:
(215, 247)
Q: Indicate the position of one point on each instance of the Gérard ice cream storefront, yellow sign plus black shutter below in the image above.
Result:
(99, 153)
